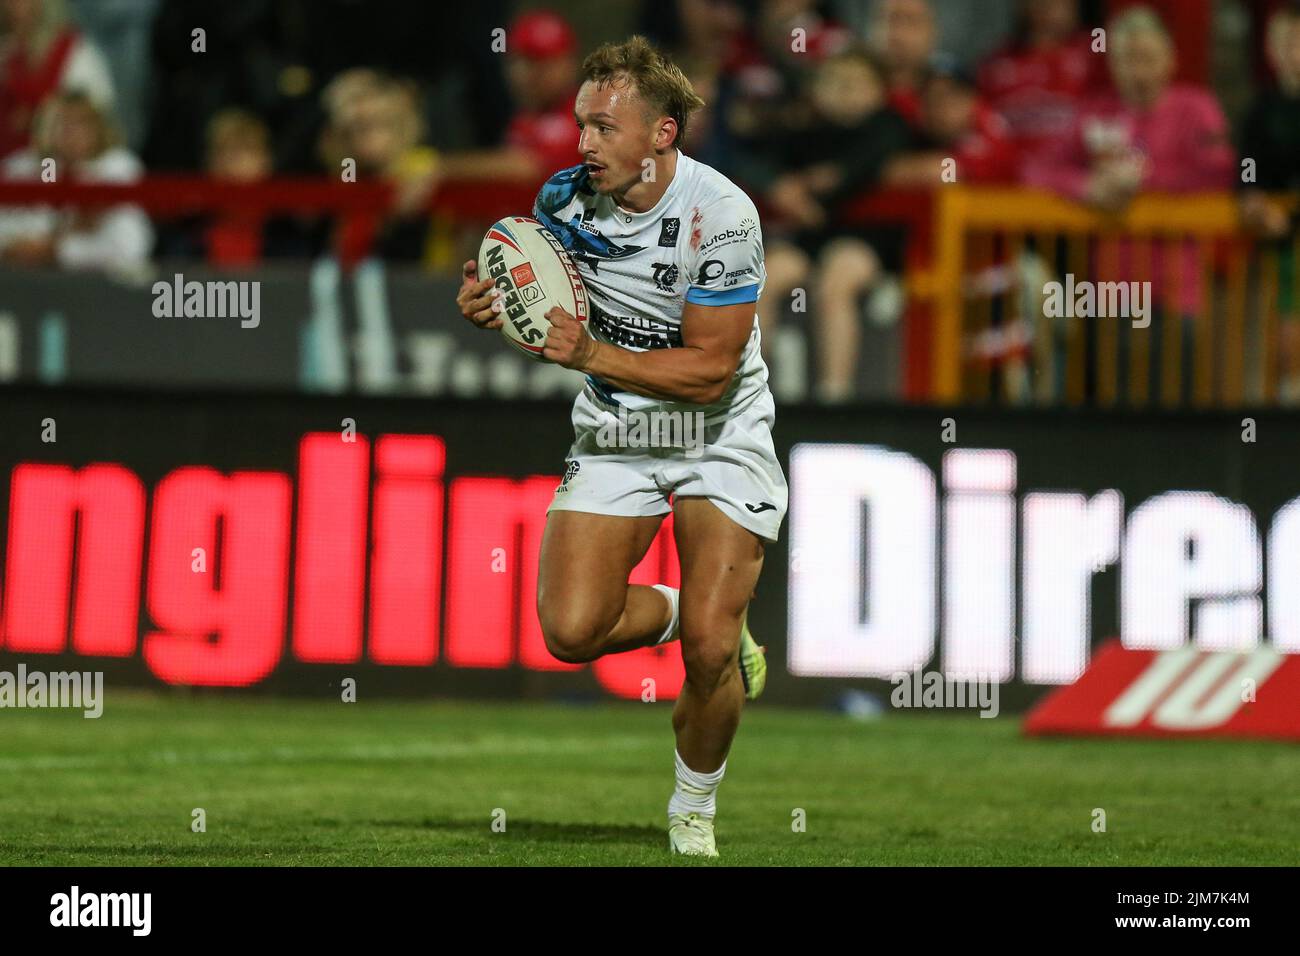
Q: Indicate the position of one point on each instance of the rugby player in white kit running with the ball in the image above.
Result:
(671, 254)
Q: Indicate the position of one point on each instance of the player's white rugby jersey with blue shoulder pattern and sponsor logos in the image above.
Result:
(700, 244)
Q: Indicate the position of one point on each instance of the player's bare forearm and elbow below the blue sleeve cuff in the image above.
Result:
(713, 341)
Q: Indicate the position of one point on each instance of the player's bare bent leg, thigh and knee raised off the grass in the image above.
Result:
(584, 602)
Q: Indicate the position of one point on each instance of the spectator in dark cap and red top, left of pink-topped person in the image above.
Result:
(957, 124)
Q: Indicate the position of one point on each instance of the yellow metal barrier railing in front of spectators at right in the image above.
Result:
(1216, 299)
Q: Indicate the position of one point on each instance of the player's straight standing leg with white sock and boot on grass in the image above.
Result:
(721, 563)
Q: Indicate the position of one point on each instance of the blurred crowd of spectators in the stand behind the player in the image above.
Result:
(809, 106)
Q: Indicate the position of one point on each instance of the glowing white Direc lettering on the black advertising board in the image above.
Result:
(865, 582)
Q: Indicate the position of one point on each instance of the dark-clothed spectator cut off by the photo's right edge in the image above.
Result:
(1272, 141)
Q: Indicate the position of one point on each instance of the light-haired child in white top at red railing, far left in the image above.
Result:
(75, 133)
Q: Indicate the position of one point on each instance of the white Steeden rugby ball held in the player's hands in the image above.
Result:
(535, 275)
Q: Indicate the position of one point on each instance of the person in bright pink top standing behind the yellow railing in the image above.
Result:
(1150, 136)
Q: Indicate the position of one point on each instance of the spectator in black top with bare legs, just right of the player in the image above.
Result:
(853, 137)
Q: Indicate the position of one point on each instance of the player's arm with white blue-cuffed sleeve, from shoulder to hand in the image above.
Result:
(725, 275)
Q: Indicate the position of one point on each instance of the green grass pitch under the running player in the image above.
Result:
(328, 784)
